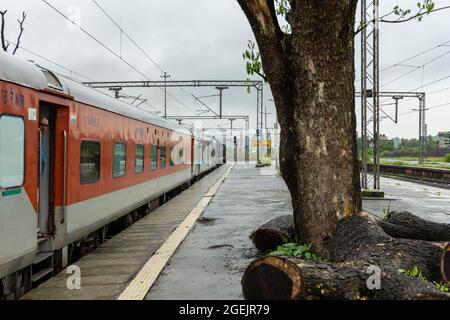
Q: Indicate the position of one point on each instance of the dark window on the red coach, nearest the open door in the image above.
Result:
(89, 162)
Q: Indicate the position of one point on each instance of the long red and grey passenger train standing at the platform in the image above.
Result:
(73, 161)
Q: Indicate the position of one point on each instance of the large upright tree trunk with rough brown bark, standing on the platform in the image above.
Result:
(311, 73)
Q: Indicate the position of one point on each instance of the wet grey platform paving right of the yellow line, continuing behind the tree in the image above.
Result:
(211, 261)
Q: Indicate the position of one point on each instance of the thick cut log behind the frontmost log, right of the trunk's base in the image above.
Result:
(360, 238)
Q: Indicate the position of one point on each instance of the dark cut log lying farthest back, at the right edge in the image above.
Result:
(403, 224)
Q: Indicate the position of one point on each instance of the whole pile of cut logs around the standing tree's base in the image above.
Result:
(360, 247)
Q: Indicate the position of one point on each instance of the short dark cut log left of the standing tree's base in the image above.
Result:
(274, 233)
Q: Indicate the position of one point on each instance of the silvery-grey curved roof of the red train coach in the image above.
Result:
(28, 74)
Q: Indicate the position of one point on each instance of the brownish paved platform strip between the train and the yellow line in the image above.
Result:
(106, 271)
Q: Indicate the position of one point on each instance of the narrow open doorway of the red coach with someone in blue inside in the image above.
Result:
(46, 133)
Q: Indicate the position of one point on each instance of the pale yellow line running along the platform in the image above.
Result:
(144, 280)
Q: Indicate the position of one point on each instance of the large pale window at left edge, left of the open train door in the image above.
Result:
(12, 151)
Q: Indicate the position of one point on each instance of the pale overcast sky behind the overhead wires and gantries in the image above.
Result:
(196, 39)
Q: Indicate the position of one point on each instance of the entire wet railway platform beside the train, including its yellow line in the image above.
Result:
(152, 261)
